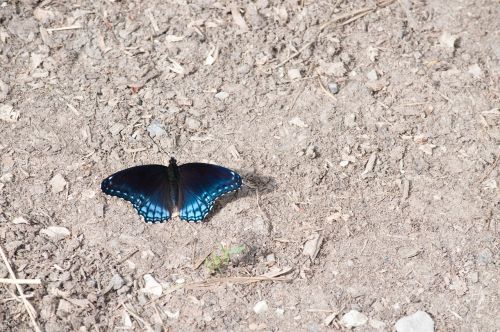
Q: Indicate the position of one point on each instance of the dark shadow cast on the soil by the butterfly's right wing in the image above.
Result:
(253, 184)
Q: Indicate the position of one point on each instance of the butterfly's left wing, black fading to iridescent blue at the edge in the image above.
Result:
(146, 187)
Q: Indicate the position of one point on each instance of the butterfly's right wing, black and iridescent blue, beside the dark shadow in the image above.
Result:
(200, 185)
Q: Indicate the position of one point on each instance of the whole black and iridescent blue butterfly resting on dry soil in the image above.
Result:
(158, 191)
